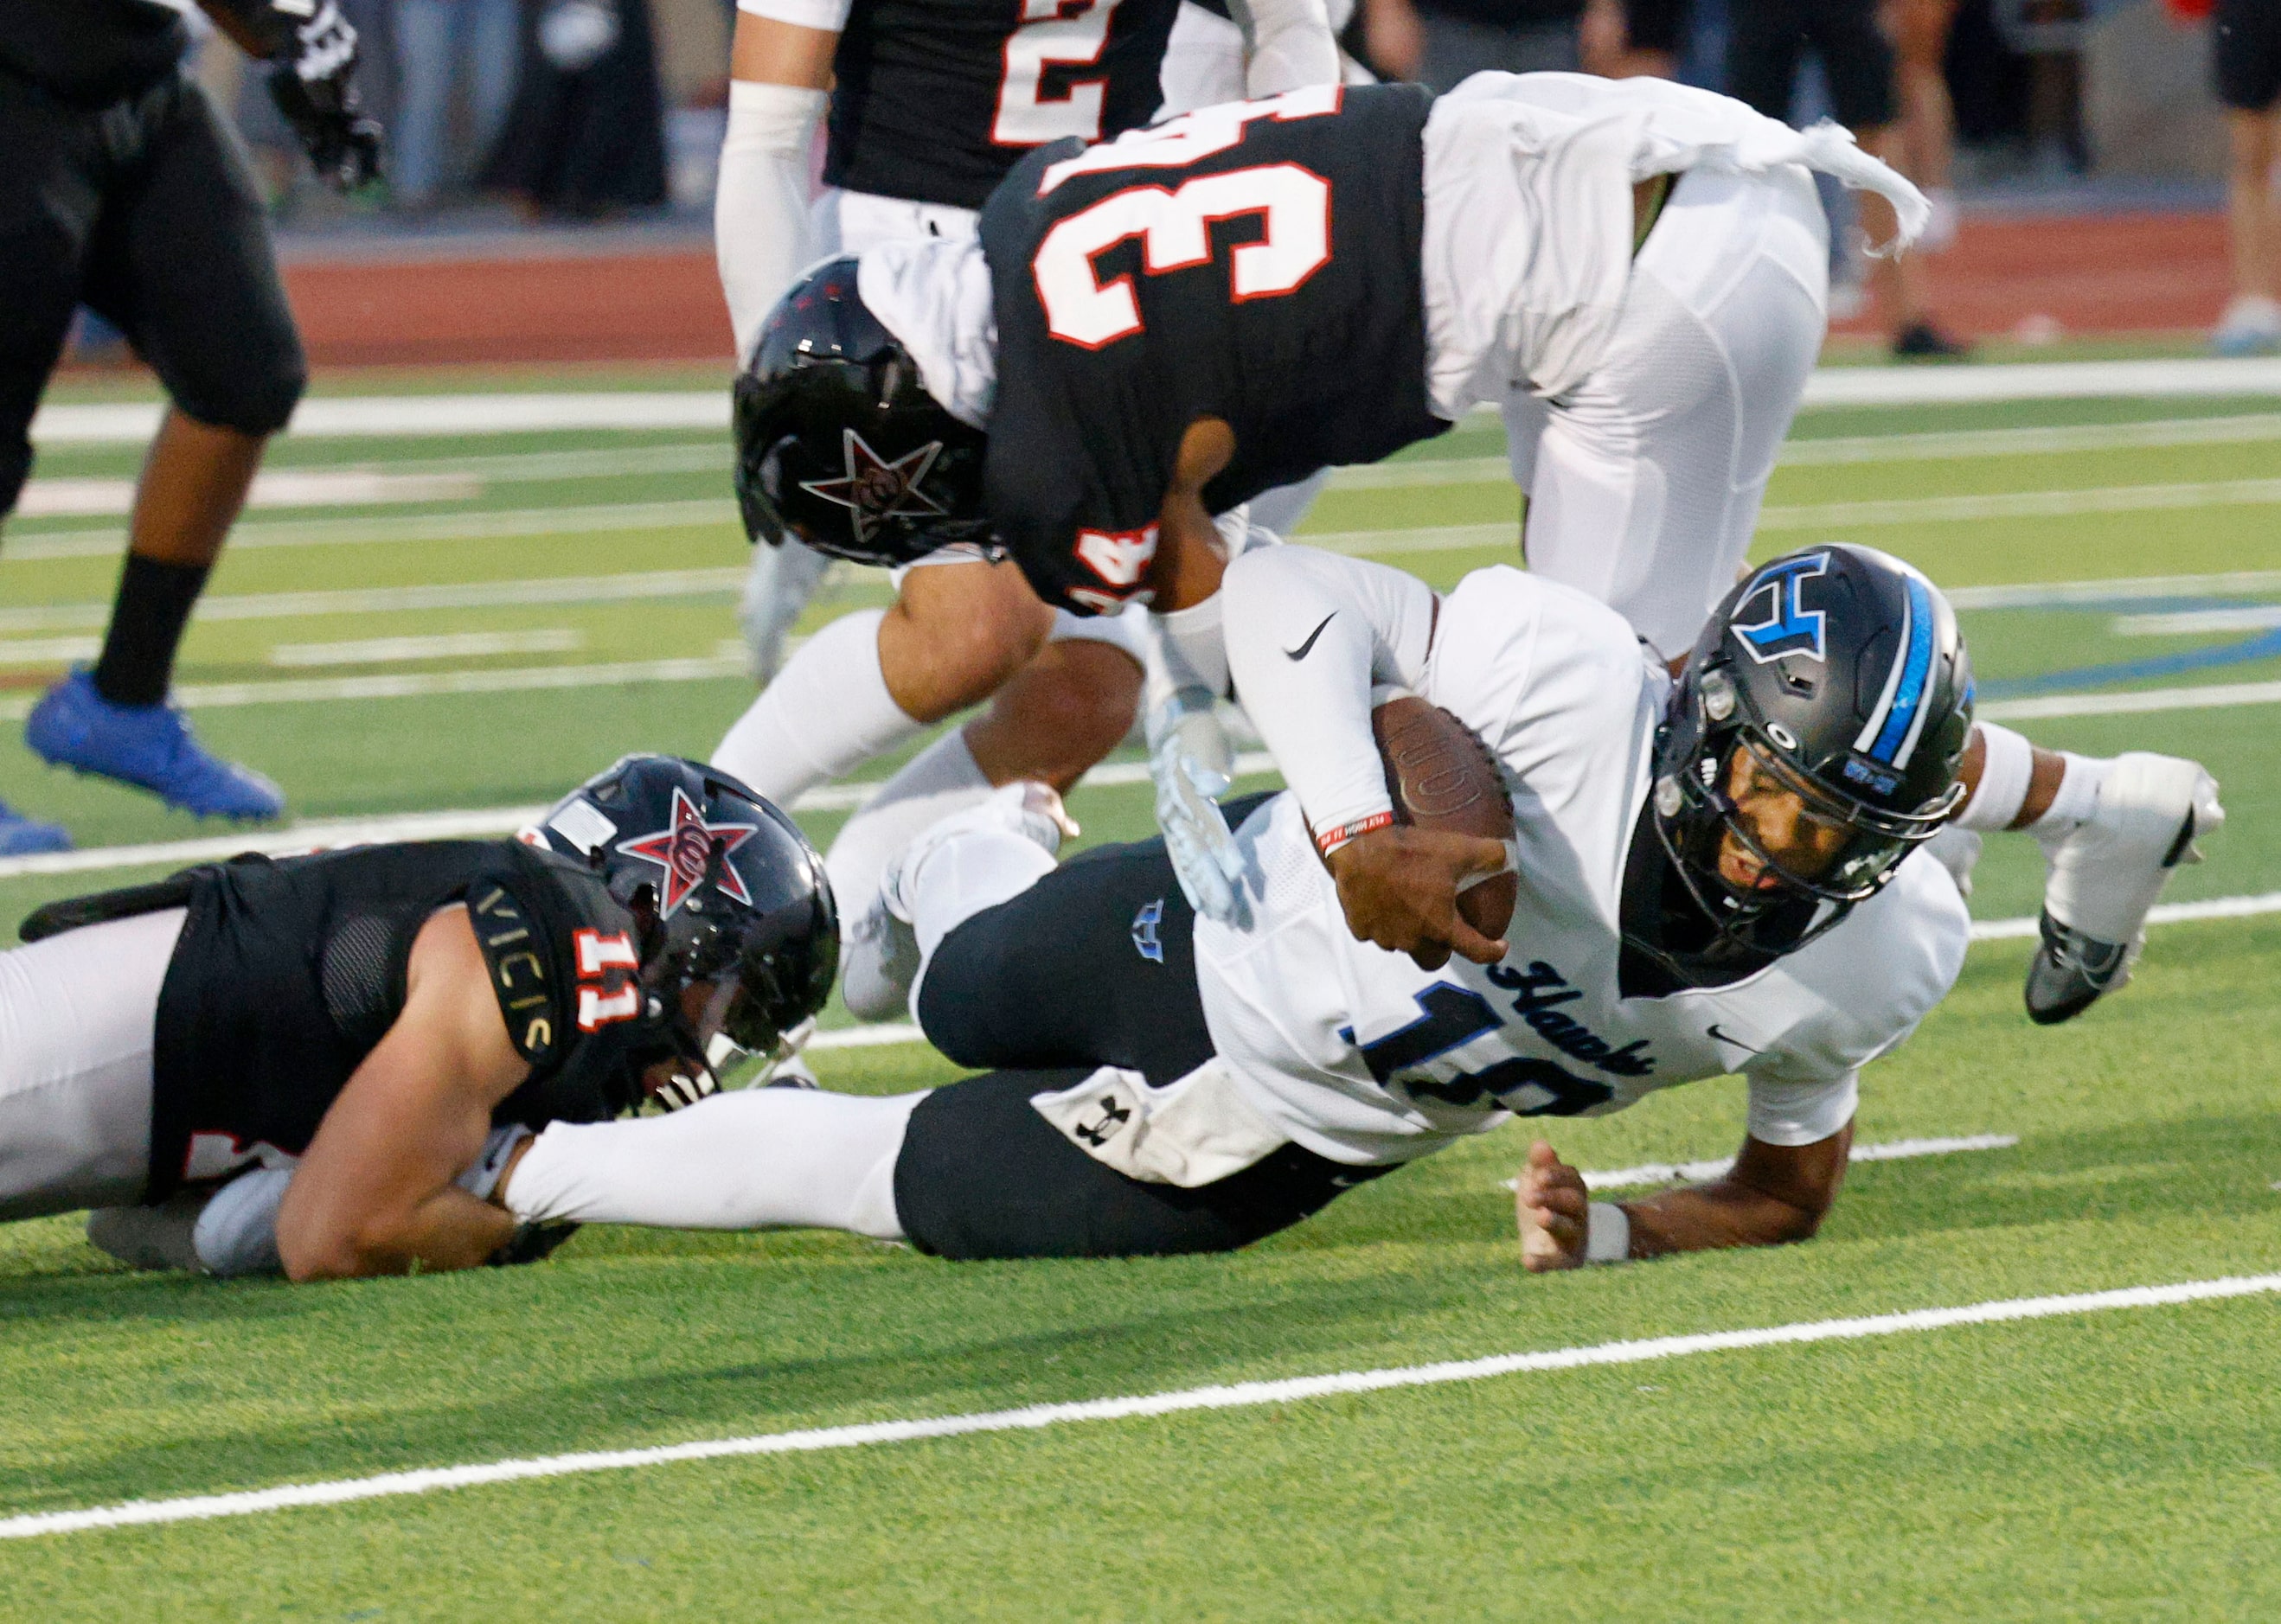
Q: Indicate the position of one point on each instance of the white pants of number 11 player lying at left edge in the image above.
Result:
(79, 1018)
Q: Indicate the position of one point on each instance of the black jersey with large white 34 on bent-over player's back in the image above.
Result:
(1253, 263)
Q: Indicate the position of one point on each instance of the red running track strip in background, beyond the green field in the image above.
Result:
(2091, 275)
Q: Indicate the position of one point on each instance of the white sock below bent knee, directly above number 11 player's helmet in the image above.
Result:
(827, 715)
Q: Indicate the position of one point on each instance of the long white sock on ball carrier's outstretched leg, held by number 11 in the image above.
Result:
(752, 1160)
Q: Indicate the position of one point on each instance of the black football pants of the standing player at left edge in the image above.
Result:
(147, 213)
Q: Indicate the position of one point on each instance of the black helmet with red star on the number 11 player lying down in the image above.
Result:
(724, 891)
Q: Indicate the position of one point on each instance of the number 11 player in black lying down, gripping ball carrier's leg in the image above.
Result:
(318, 1064)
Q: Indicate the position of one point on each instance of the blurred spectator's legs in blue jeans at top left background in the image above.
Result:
(441, 47)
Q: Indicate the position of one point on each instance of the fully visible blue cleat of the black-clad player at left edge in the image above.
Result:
(149, 747)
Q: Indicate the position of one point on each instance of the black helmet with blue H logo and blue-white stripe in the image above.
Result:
(1842, 674)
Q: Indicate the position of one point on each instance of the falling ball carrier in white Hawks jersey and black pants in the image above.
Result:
(1712, 877)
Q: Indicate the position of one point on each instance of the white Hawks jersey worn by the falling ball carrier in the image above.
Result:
(1363, 1057)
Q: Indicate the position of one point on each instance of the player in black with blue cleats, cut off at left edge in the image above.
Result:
(122, 188)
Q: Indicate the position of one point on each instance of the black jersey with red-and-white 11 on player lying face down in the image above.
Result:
(289, 975)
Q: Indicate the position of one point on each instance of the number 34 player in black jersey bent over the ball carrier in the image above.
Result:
(1155, 330)
